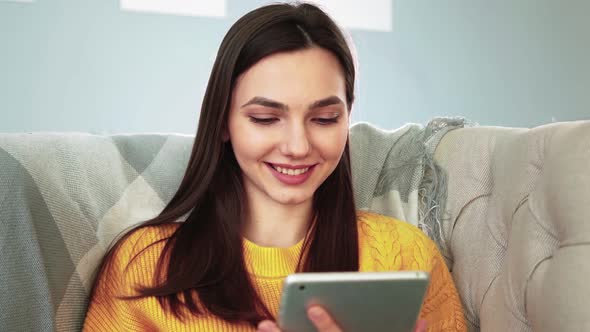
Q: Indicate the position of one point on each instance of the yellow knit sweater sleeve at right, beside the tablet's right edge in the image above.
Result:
(442, 307)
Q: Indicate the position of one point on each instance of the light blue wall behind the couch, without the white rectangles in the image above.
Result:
(80, 65)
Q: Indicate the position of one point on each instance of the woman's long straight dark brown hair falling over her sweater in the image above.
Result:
(204, 254)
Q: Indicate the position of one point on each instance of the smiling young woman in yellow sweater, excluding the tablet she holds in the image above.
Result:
(267, 192)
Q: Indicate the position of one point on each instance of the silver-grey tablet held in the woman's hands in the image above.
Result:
(357, 301)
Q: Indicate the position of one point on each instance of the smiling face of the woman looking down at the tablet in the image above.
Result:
(288, 124)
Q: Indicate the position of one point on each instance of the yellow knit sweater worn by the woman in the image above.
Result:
(385, 244)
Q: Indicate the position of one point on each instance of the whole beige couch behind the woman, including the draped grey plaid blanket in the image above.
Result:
(511, 214)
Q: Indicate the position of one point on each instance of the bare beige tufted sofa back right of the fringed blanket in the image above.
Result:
(518, 227)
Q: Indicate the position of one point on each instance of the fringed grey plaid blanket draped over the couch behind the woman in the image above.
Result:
(64, 197)
